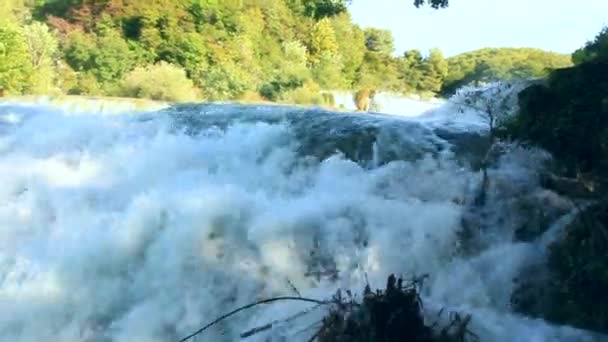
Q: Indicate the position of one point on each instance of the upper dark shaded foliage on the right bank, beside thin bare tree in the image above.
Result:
(569, 117)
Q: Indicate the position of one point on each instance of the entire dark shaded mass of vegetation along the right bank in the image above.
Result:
(567, 115)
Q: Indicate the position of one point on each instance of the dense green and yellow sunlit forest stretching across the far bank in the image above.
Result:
(279, 50)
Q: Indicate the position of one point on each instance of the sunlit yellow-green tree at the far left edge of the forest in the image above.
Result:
(15, 61)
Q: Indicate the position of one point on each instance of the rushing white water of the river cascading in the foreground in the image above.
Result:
(143, 227)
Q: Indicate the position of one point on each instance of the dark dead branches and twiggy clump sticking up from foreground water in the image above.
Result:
(390, 315)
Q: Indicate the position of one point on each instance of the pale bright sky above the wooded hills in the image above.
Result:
(555, 25)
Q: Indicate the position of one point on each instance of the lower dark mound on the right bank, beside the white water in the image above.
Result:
(573, 291)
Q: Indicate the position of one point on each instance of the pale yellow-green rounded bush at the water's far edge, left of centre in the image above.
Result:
(161, 81)
